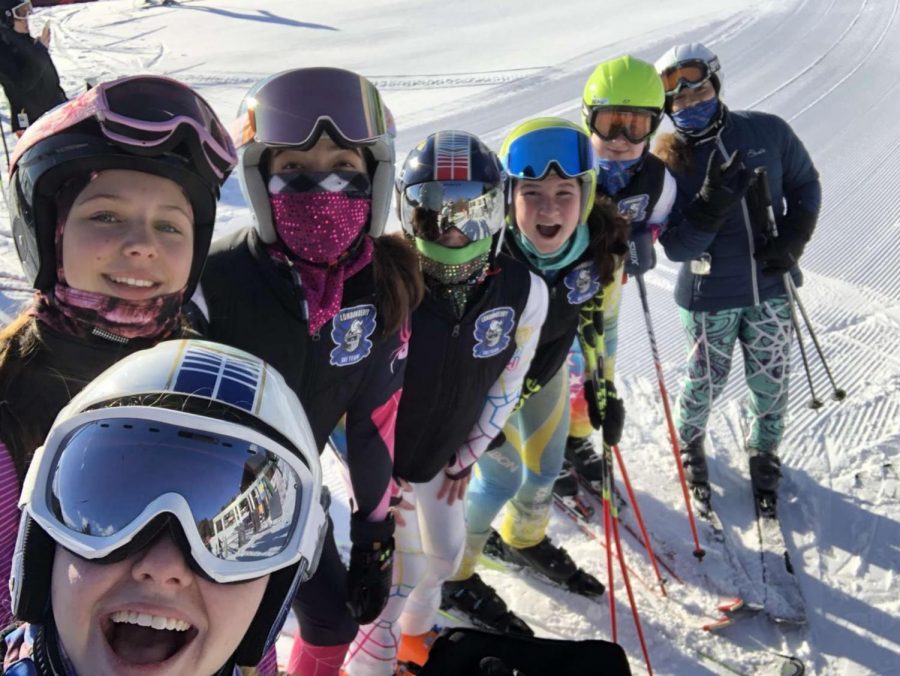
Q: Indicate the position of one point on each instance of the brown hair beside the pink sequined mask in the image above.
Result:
(398, 281)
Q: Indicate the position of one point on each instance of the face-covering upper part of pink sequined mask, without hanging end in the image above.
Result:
(318, 215)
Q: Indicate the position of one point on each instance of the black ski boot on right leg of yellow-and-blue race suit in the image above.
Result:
(552, 562)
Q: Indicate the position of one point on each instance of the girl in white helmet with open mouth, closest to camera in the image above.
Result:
(128, 564)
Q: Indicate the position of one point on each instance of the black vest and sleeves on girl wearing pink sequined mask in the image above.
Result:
(347, 367)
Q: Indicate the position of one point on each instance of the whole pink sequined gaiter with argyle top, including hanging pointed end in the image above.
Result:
(320, 218)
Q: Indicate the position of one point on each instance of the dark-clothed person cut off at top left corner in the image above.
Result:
(27, 73)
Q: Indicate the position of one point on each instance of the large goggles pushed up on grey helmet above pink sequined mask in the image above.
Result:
(292, 108)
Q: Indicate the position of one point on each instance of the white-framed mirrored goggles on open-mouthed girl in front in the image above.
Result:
(246, 505)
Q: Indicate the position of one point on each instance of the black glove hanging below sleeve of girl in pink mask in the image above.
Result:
(371, 564)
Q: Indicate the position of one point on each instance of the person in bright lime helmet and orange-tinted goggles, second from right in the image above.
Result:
(621, 106)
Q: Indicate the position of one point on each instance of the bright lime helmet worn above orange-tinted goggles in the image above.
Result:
(625, 83)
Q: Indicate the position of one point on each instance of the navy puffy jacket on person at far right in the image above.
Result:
(736, 278)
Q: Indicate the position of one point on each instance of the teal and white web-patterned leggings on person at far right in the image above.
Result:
(764, 332)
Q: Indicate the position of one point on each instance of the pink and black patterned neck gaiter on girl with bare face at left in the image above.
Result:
(87, 313)
